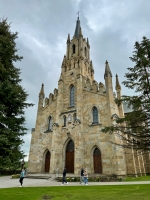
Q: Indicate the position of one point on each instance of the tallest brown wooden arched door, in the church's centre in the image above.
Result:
(70, 157)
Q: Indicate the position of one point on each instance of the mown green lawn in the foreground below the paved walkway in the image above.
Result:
(121, 192)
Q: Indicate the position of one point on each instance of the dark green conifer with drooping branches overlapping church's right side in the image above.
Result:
(134, 128)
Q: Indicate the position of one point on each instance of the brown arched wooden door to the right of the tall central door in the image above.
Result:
(97, 161)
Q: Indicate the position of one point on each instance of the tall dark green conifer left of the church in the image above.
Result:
(12, 100)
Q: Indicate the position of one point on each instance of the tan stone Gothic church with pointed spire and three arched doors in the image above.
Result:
(69, 122)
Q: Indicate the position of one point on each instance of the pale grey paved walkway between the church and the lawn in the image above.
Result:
(7, 182)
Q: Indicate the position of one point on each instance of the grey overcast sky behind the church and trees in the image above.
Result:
(112, 27)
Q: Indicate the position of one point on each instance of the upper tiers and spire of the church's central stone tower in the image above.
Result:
(78, 55)
